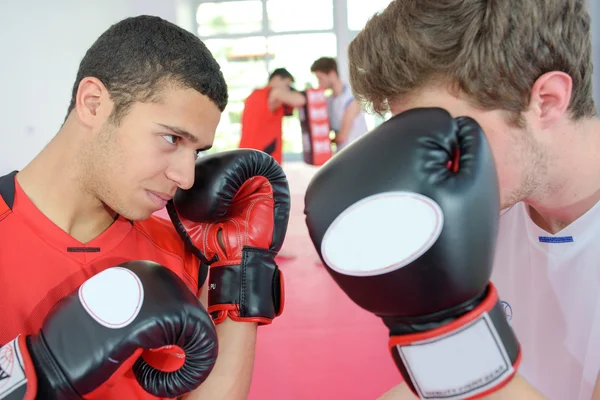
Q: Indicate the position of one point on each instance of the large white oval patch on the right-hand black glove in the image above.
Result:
(382, 233)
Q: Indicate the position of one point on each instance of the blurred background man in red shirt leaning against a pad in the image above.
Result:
(263, 114)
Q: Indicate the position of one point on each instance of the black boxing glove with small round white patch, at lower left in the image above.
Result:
(94, 335)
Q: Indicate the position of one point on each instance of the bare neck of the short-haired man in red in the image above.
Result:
(52, 181)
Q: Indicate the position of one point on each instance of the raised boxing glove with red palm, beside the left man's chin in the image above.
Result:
(235, 219)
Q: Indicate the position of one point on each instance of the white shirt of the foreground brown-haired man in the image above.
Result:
(550, 289)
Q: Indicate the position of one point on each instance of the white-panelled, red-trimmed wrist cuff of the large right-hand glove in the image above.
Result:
(468, 358)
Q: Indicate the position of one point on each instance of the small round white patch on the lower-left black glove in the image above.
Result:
(113, 298)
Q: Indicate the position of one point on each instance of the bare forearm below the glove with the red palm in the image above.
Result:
(232, 374)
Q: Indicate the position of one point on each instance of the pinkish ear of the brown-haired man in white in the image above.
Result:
(550, 97)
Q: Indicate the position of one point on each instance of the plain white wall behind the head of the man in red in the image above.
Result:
(41, 45)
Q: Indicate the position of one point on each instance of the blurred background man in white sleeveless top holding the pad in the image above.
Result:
(346, 117)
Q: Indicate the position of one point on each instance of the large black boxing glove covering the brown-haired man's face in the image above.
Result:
(406, 219)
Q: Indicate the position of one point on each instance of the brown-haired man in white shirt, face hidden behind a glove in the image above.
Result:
(523, 71)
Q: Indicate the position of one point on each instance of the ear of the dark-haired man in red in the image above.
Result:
(93, 103)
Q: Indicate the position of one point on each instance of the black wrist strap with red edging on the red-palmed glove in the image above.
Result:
(251, 291)
